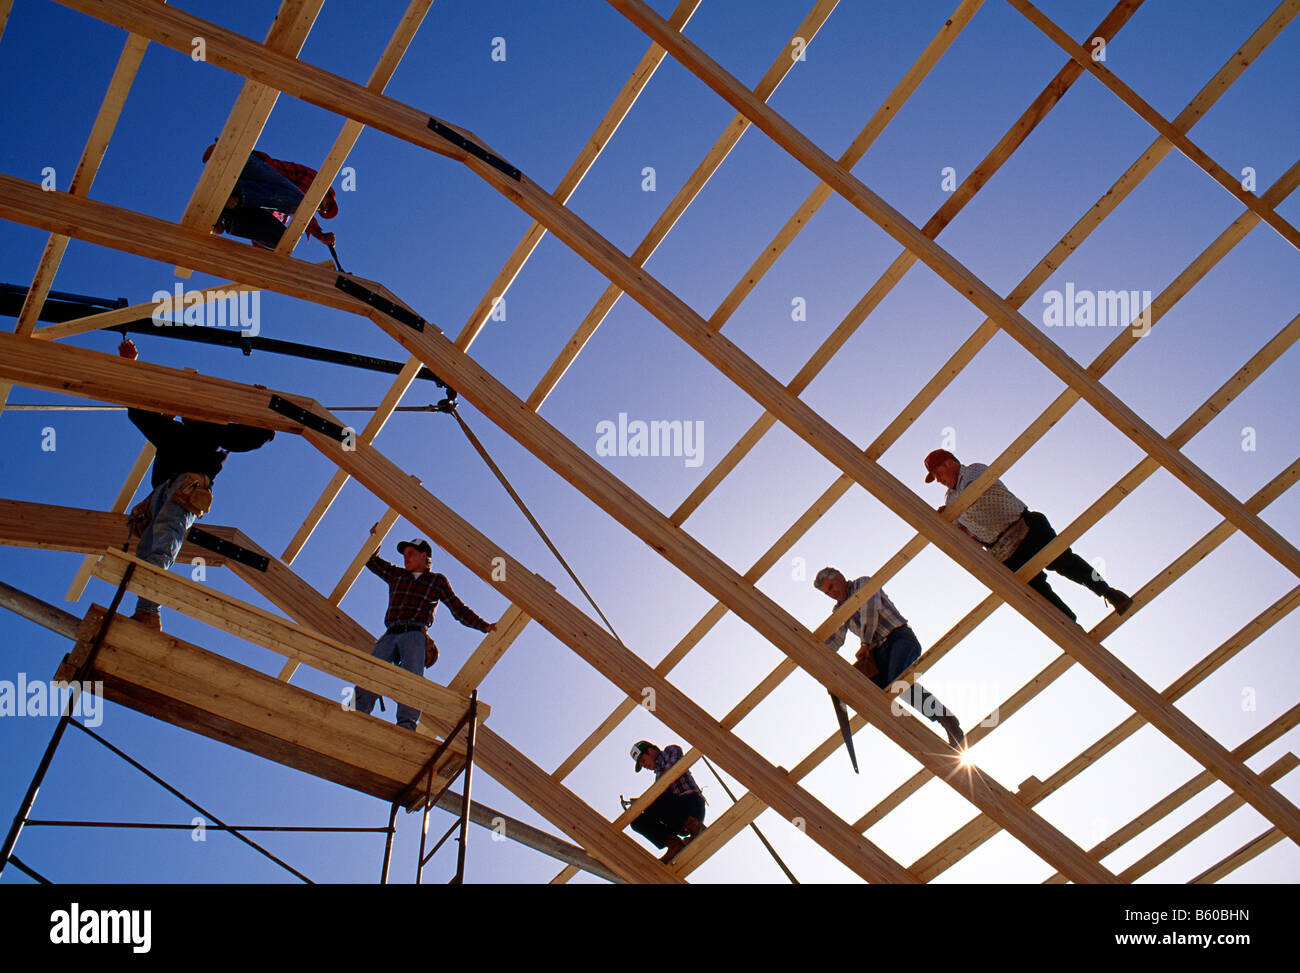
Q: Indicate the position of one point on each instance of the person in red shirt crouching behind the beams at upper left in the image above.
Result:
(267, 194)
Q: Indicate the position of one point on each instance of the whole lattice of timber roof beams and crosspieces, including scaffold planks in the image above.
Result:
(206, 693)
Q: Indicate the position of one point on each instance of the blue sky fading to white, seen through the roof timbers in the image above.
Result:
(437, 236)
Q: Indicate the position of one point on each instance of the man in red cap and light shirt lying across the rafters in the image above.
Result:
(1015, 534)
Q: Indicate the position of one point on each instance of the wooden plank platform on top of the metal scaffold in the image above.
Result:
(207, 694)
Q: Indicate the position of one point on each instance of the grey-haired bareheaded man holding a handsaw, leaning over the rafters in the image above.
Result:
(889, 647)
